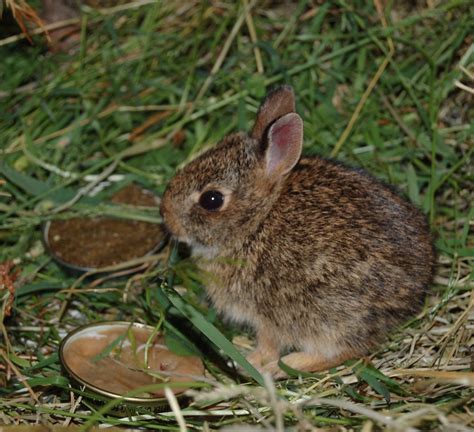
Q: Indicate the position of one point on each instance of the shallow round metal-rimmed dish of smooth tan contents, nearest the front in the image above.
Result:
(117, 357)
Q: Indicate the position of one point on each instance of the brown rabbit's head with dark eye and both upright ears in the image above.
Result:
(219, 199)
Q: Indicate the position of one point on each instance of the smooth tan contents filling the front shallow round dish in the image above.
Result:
(124, 368)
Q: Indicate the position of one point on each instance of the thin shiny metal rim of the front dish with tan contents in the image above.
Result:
(147, 401)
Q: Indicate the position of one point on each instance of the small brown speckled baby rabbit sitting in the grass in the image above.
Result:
(318, 258)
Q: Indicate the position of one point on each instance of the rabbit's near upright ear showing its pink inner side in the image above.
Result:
(284, 144)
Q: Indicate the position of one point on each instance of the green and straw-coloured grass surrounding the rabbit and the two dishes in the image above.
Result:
(154, 83)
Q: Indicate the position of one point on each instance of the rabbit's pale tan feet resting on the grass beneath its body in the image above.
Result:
(304, 362)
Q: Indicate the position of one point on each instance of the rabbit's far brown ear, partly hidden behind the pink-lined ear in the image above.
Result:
(278, 102)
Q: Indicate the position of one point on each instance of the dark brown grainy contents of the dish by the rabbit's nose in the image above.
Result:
(104, 241)
